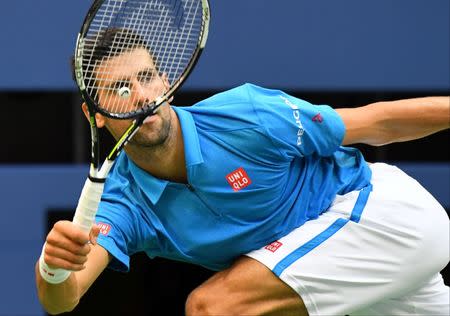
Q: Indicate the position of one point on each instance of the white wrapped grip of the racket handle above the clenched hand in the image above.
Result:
(87, 206)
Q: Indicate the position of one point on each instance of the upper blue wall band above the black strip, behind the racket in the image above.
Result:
(293, 44)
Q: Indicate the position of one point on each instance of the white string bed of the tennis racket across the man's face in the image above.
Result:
(168, 30)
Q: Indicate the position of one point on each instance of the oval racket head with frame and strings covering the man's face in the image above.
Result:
(132, 55)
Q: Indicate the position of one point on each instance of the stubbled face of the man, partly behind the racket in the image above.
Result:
(128, 82)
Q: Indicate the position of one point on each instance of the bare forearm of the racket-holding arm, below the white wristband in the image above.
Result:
(57, 298)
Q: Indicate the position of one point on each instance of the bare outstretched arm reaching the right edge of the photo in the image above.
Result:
(395, 121)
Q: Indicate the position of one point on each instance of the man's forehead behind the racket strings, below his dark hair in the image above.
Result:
(124, 65)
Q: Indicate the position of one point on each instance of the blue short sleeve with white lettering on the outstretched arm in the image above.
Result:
(297, 127)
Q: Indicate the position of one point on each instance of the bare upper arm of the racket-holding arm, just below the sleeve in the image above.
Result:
(98, 260)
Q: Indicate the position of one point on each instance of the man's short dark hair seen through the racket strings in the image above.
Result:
(108, 42)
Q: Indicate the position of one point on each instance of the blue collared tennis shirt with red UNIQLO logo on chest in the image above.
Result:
(259, 164)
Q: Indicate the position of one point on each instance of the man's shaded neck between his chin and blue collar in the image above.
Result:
(165, 161)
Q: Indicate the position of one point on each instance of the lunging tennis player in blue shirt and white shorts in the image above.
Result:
(256, 184)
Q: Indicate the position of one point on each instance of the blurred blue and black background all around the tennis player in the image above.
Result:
(343, 53)
